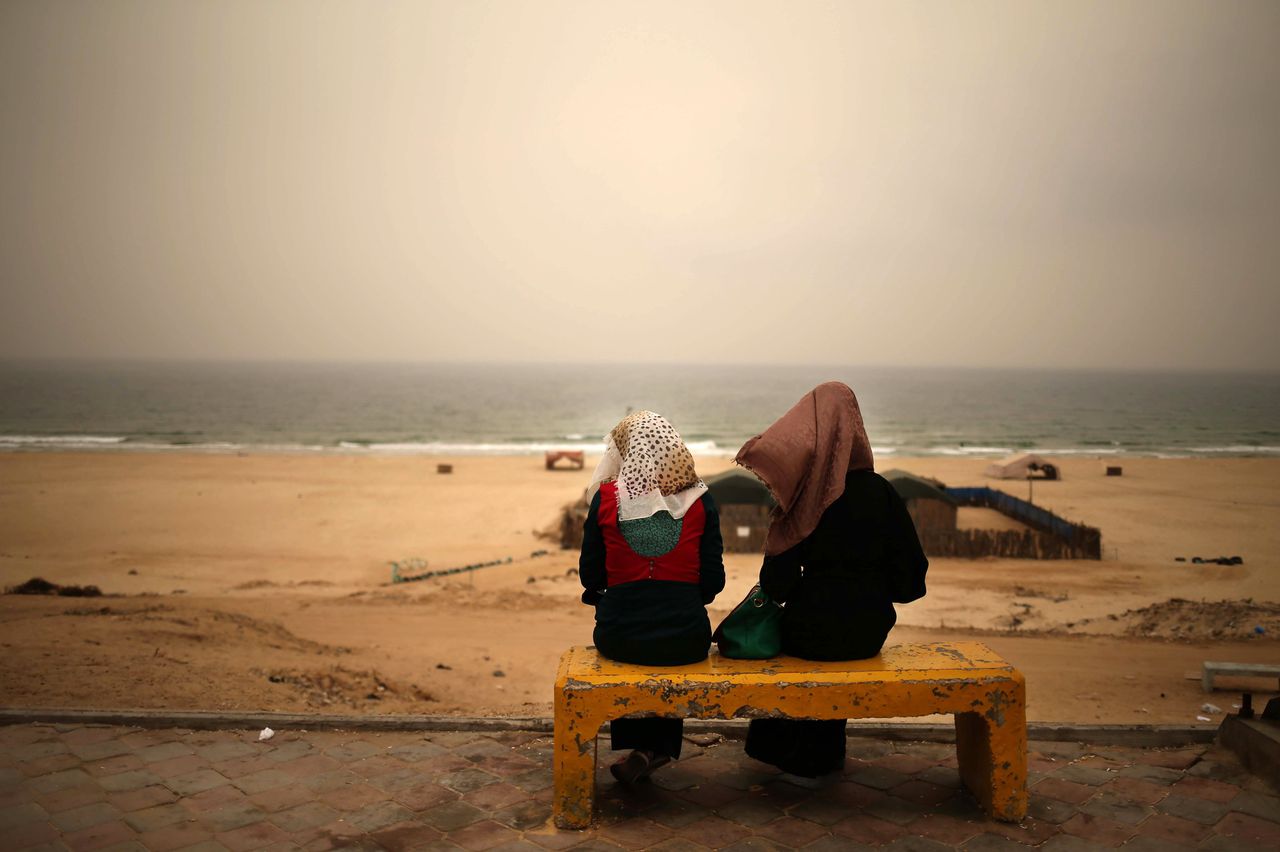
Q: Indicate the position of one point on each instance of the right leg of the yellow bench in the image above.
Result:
(993, 758)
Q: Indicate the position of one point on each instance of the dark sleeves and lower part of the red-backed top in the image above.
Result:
(652, 622)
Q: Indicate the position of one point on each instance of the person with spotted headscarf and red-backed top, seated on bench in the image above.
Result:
(652, 561)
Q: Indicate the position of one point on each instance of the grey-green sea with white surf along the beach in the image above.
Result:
(461, 410)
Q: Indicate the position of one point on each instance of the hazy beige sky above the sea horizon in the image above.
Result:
(943, 184)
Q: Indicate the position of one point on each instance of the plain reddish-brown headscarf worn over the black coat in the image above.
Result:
(804, 459)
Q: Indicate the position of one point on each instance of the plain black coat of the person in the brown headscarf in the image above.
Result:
(839, 585)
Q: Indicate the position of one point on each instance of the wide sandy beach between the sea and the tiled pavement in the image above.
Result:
(257, 581)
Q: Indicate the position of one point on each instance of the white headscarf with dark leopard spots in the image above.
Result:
(652, 466)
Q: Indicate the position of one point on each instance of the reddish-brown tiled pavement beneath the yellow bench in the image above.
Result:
(86, 787)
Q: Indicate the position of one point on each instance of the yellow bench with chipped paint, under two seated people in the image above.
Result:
(968, 680)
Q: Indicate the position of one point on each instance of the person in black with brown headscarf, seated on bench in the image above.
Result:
(842, 551)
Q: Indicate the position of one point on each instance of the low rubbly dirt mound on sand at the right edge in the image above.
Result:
(1178, 619)
